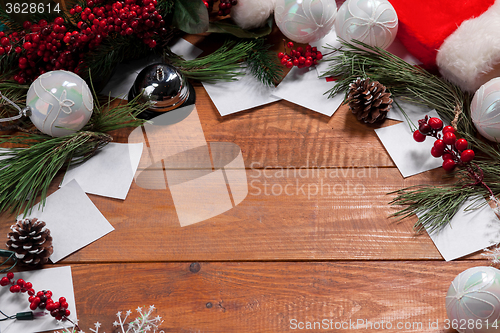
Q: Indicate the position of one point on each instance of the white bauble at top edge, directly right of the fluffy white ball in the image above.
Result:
(305, 21)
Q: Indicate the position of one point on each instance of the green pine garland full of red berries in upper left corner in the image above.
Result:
(91, 39)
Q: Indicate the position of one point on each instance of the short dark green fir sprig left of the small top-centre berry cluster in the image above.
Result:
(263, 64)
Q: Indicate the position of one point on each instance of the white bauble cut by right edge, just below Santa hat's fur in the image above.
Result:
(485, 110)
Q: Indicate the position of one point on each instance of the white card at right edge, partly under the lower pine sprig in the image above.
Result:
(468, 231)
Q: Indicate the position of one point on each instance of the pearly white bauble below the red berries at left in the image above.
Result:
(61, 103)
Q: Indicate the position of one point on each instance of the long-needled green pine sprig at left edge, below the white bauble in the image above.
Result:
(27, 173)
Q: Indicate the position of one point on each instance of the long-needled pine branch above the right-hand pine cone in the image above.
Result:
(413, 83)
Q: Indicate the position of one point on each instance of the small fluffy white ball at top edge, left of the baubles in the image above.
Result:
(250, 14)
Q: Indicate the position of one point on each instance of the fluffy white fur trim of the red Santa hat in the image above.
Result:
(470, 56)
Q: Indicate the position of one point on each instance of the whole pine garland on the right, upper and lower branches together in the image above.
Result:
(435, 205)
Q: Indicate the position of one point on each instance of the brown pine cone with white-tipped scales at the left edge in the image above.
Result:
(31, 241)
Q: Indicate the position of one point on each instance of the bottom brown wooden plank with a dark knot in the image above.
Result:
(267, 297)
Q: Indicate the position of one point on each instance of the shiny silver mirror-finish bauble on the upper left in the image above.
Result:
(164, 87)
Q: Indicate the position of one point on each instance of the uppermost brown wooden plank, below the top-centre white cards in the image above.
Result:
(285, 134)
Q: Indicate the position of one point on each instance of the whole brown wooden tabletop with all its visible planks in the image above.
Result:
(274, 261)
